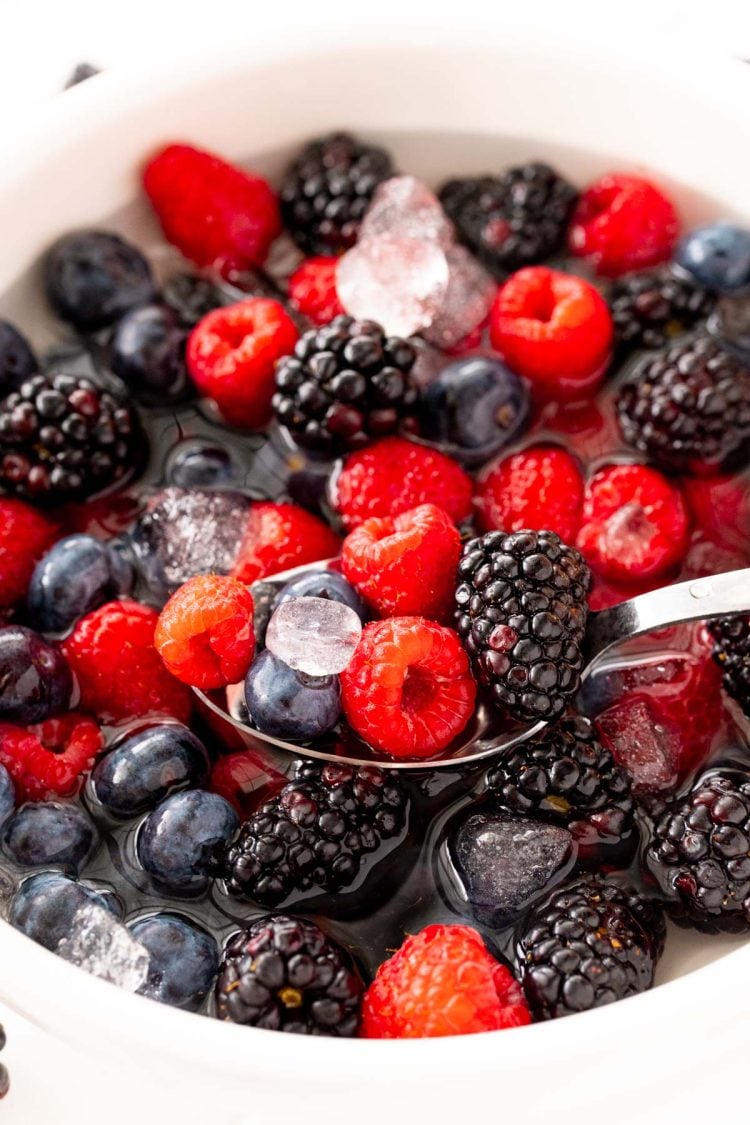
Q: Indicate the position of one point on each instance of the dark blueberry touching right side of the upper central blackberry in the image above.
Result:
(475, 408)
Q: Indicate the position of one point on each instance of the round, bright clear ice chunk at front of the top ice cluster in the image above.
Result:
(400, 283)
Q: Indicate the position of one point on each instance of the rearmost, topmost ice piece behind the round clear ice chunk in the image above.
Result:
(403, 208)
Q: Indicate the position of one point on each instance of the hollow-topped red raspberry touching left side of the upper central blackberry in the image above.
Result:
(232, 355)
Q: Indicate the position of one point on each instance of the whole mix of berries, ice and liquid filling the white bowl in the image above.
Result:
(471, 419)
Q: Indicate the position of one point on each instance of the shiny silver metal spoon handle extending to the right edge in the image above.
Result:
(688, 601)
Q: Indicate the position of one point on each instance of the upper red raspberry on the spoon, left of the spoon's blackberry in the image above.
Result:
(405, 565)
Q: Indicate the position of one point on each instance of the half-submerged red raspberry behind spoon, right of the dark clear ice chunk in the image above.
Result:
(279, 537)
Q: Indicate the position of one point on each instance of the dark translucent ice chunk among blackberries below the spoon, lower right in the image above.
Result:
(508, 862)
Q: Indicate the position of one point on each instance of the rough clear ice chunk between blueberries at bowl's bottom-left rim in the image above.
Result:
(102, 946)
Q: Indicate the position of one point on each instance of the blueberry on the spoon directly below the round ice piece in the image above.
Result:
(288, 704)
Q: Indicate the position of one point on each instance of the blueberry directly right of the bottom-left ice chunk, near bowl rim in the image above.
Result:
(184, 960)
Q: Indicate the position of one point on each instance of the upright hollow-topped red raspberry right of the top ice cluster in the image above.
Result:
(555, 329)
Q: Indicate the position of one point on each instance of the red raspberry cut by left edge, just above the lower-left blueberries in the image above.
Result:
(50, 759)
